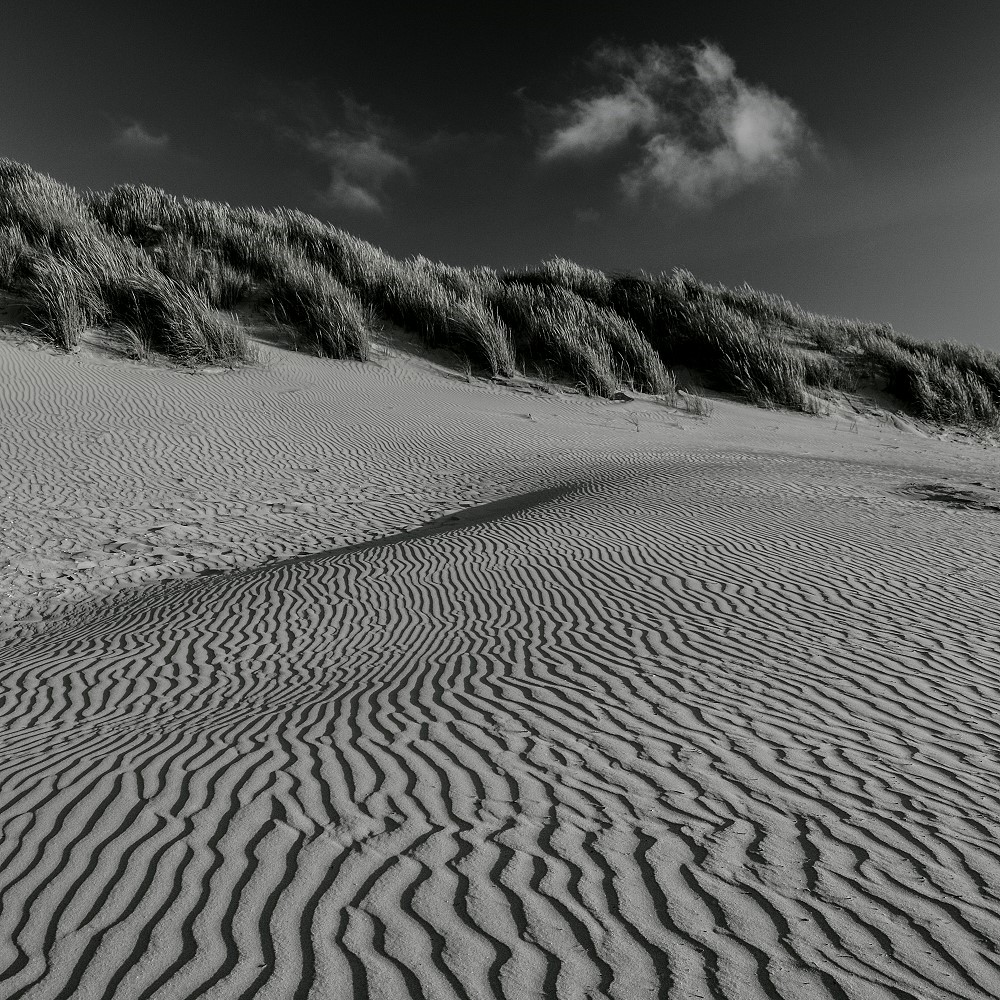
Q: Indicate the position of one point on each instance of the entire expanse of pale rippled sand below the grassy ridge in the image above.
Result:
(343, 680)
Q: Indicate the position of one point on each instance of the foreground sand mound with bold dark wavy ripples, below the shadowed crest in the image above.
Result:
(698, 726)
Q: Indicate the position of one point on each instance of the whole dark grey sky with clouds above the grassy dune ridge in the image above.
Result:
(843, 154)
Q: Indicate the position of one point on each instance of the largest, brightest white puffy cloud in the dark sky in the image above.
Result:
(696, 132)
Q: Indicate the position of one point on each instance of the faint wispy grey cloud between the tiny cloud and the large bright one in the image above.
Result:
(357, 152)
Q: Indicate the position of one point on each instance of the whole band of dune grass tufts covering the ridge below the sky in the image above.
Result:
(156, 271)
